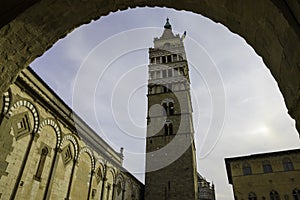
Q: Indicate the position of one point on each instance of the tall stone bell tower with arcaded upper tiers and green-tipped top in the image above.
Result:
(170, 150)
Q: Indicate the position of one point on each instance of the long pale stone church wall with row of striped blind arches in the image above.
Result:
(48, 152)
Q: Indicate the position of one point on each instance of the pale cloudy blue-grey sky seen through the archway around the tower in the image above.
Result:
(100, 71)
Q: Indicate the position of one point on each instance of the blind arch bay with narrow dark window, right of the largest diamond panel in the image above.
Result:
(41, 160)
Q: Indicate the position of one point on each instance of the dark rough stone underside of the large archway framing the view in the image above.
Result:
(271, 27)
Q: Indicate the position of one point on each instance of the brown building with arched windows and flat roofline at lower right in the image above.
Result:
(274, 175)
